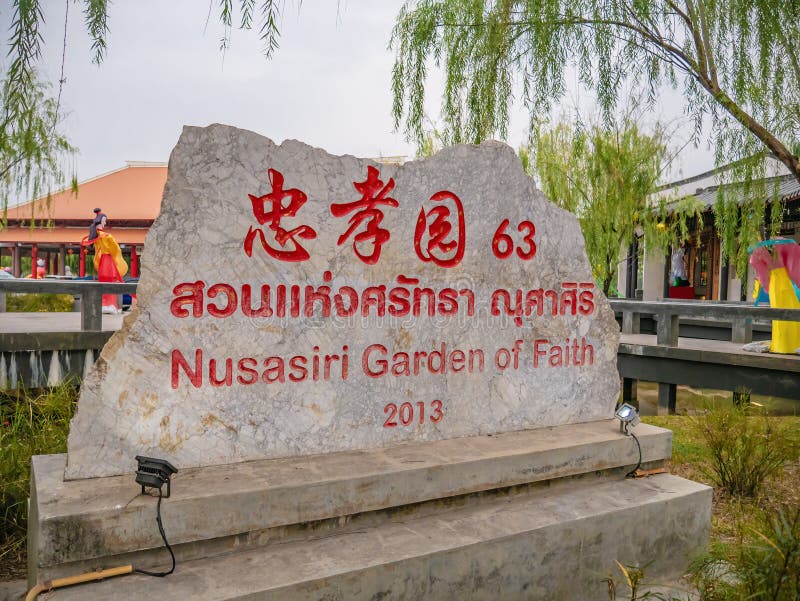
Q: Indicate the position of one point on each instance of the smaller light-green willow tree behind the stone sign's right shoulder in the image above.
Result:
(605, 176)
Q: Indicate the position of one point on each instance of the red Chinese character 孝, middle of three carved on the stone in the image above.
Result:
(373, 193)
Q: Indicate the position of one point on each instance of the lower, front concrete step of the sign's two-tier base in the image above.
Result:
(550, 542)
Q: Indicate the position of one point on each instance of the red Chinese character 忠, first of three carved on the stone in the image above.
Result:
(269, 210)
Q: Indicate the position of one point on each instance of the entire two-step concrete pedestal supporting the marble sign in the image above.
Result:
(526, 515)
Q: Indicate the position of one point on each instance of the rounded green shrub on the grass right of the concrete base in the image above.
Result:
(745, 448)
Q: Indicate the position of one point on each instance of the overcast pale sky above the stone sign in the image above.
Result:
(328, 85)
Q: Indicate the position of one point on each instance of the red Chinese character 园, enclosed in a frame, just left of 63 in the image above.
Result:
(432, 237)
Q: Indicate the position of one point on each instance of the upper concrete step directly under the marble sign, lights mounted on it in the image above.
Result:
(77, 525)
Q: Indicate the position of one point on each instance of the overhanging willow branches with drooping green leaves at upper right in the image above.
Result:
(736, 62)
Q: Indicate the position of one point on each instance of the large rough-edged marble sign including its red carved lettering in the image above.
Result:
(292, 302)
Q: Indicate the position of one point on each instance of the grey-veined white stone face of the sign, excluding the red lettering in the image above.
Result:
(128, 405)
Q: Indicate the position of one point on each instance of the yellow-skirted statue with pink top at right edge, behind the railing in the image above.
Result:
(777, 265)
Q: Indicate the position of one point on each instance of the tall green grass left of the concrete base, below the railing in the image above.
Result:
(30, 424)
